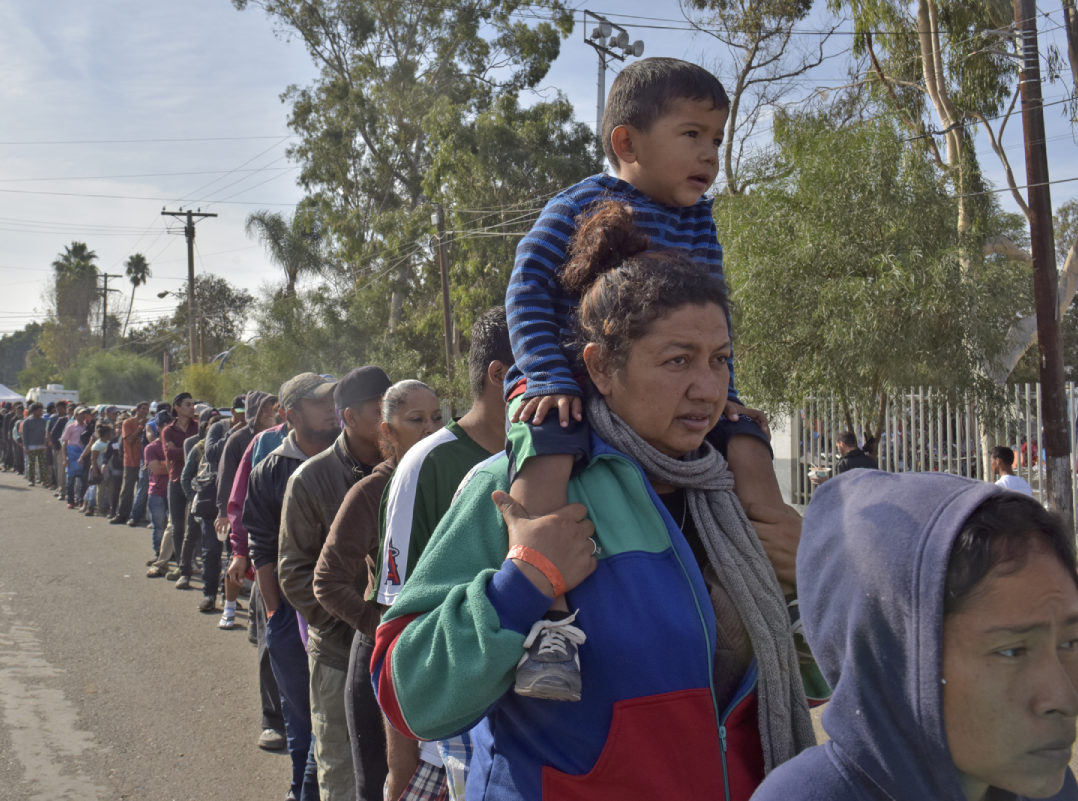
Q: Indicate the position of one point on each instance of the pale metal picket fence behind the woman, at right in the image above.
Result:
(925, 432)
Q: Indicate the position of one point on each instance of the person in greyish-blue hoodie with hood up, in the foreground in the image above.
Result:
(945, 614)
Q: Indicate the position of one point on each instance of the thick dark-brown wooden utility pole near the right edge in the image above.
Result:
(1042, 241)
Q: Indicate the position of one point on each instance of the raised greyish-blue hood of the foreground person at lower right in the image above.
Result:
(872, 570)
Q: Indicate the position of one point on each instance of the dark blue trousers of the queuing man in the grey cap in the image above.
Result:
(289, 661)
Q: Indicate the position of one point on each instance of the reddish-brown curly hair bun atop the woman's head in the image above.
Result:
(606, 237)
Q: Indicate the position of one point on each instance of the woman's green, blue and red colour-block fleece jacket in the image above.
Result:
(648, 726)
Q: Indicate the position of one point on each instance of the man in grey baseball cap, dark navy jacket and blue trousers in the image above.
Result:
(308, 403)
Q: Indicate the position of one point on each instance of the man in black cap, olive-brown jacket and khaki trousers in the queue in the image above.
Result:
(314, 495)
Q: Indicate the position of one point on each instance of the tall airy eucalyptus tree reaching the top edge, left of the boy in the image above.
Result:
(398, 82)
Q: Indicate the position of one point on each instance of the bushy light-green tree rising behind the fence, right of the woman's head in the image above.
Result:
(845, 277)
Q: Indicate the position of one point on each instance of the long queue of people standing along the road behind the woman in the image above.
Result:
(285, 498)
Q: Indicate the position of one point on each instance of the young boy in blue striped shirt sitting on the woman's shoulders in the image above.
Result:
(662, 130)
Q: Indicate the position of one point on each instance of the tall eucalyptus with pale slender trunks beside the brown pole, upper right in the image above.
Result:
(948, 70)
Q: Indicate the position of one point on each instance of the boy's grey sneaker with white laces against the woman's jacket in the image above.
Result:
(550, 668)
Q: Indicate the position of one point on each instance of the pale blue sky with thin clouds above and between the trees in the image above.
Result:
(114, 109)
